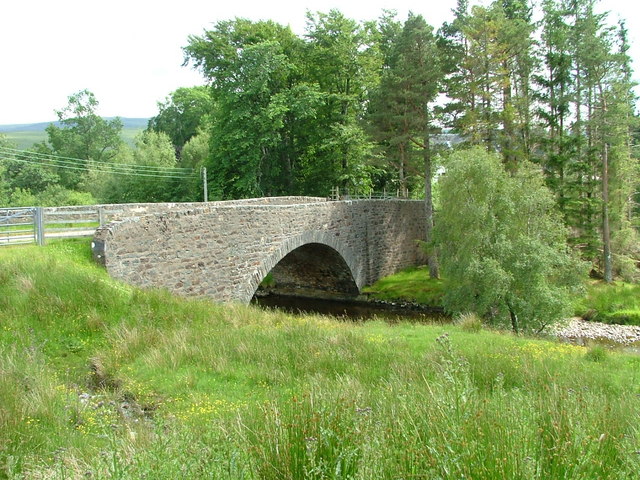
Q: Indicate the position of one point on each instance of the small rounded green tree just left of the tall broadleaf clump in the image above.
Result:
(182, 113)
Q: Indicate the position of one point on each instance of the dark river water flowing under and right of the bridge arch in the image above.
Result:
(351, 309)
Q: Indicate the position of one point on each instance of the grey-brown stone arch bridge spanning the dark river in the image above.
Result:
(223, 250)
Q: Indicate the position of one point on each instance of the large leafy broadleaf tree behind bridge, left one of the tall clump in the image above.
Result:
(259, 124)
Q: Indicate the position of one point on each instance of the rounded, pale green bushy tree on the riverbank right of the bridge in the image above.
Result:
(504, 252)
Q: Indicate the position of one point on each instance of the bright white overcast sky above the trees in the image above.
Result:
(129, 52)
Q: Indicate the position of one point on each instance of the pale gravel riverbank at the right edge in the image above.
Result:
(577, 330)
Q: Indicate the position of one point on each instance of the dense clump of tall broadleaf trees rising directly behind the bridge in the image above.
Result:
(287, 112)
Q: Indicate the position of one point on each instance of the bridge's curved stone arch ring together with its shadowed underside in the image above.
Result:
(312, 264)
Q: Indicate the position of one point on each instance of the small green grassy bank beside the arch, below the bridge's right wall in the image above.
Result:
(412, 284)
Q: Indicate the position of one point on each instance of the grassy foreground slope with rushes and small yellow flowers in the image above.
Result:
(103, 378)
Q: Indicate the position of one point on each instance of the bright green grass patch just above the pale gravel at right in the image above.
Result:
(617, 303)
